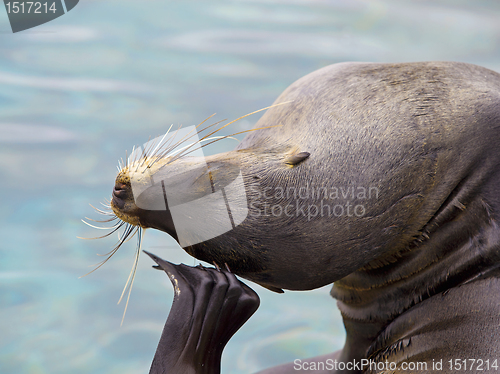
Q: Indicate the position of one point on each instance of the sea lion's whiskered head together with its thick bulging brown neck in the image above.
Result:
(368, 162)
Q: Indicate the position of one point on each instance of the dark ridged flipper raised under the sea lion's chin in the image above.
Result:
(209, 307)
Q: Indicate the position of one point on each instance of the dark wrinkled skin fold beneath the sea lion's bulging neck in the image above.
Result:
(457, 246)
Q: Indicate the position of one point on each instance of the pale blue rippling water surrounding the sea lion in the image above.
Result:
(77, 92)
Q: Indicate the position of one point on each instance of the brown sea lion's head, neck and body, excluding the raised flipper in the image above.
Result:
(382, 178)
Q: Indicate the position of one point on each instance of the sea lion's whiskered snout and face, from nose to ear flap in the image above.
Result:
(202, 202)
